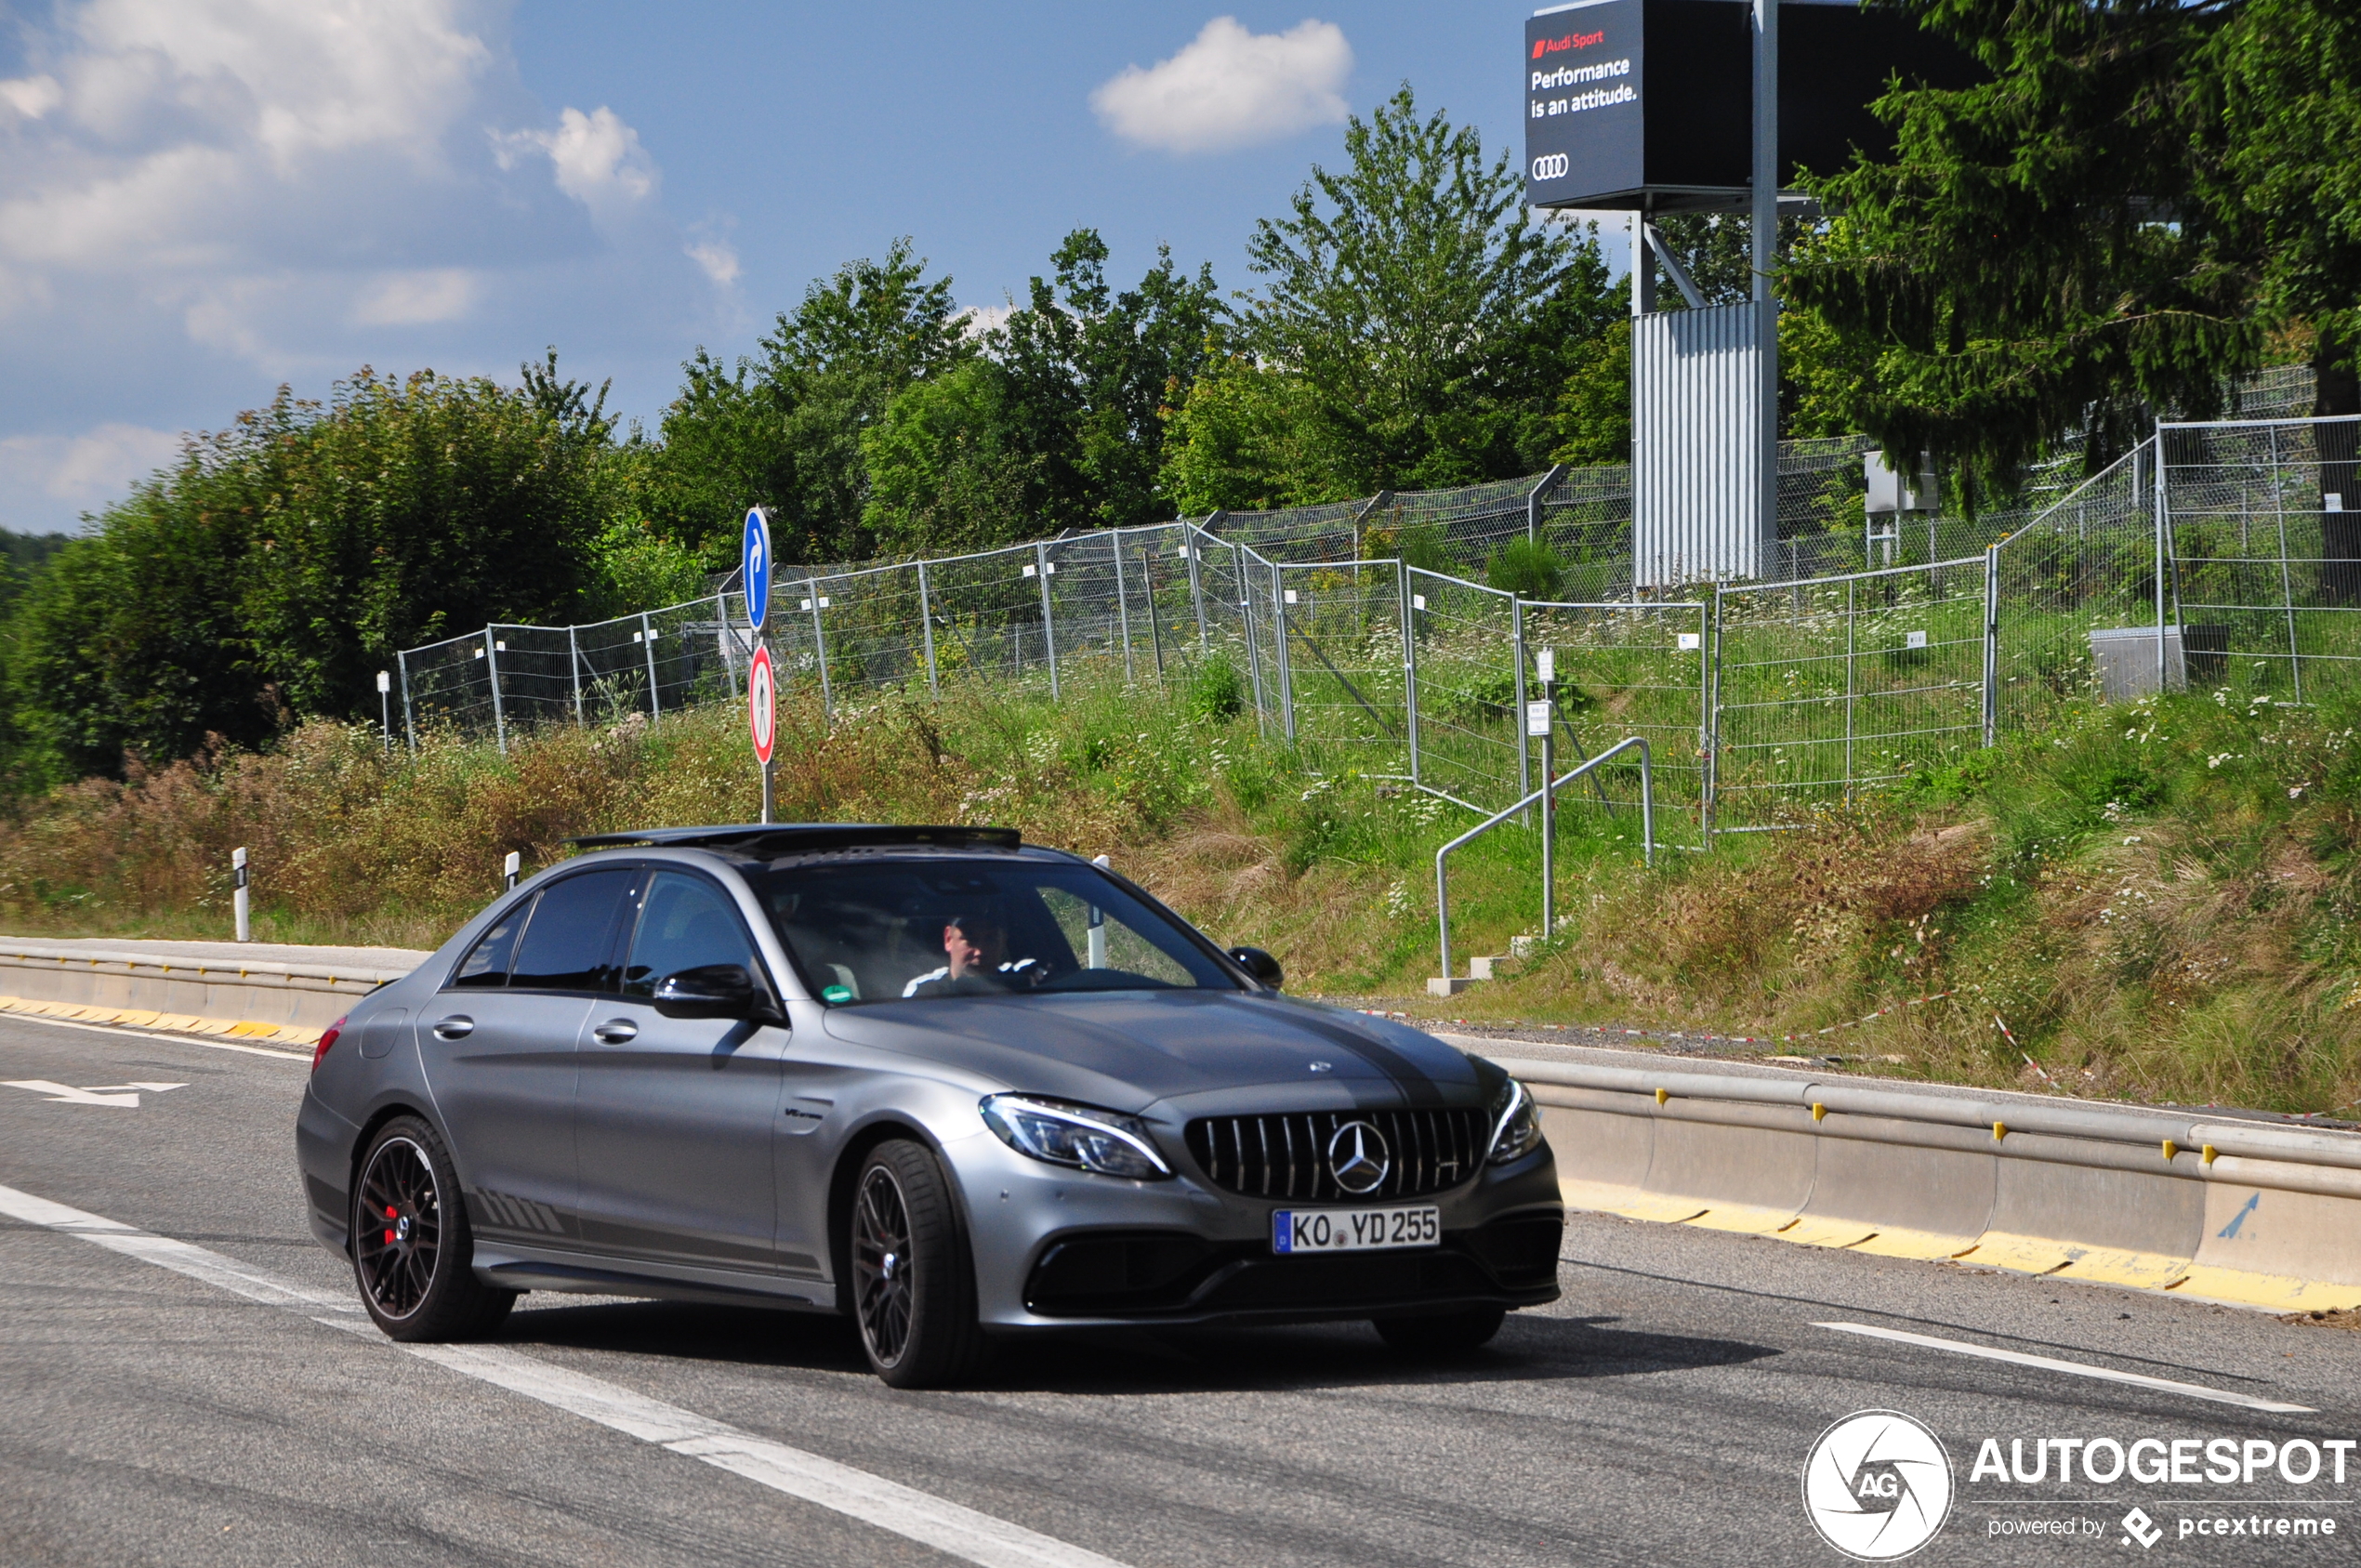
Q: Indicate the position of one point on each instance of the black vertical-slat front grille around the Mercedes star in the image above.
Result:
(1288, 1156)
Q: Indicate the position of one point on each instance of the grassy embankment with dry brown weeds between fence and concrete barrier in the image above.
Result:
(2161, 899)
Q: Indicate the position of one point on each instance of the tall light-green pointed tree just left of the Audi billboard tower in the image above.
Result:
(1423, 318)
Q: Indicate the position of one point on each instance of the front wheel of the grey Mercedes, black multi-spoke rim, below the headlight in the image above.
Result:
(913, 1281)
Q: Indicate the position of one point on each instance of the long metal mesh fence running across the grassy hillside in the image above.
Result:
(2213, 554)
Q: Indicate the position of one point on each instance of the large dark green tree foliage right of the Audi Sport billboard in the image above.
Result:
(2110, 228)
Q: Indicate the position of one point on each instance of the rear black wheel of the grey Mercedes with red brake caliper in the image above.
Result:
(412, 1248)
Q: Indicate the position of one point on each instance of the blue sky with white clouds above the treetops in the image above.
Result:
(202, 200)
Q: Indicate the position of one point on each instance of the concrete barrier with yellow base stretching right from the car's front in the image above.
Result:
(2228, 1210)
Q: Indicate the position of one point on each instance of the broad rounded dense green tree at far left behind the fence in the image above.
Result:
(282, 563)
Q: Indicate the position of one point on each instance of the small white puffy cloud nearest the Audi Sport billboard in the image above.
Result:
(1231, 89)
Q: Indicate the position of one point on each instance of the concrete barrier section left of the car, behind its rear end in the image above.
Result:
(273, 993)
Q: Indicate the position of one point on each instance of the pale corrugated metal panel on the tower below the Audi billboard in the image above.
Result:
(1696, 447)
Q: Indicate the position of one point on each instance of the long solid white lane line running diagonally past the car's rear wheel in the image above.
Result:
(889, 1505)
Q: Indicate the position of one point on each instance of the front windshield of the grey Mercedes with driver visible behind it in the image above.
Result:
(938, 927)
